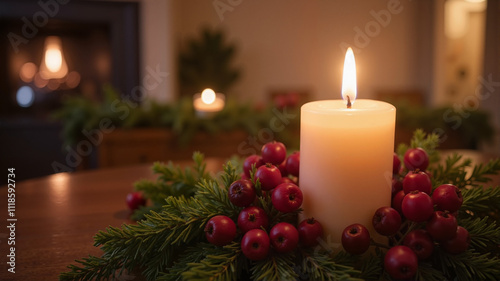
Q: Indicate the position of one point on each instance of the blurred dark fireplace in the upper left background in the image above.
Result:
(100, 43)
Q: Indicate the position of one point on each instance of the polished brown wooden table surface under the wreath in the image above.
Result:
(58, 215)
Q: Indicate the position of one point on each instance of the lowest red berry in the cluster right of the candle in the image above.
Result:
(401, 262)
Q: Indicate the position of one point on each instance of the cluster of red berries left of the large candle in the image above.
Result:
(277, 175)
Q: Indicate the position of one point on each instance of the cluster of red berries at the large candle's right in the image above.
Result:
(431, 217)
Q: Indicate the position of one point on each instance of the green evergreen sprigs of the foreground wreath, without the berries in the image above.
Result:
(169, 244)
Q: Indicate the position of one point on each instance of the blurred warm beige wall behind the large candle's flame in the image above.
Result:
(294, 44)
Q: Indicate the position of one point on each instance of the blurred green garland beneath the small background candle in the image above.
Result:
(78, 114)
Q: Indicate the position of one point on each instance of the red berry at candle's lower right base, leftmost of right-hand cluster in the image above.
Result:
(356, 239)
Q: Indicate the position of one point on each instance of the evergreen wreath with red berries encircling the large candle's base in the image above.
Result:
(189, 230)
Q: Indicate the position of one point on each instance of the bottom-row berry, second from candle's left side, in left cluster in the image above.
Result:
(284, 237)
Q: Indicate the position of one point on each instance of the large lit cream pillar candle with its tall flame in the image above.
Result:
(346, 154)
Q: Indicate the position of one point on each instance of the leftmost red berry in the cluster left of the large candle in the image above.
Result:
(220, 230)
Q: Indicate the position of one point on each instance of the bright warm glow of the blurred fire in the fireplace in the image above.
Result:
(53, 63)
